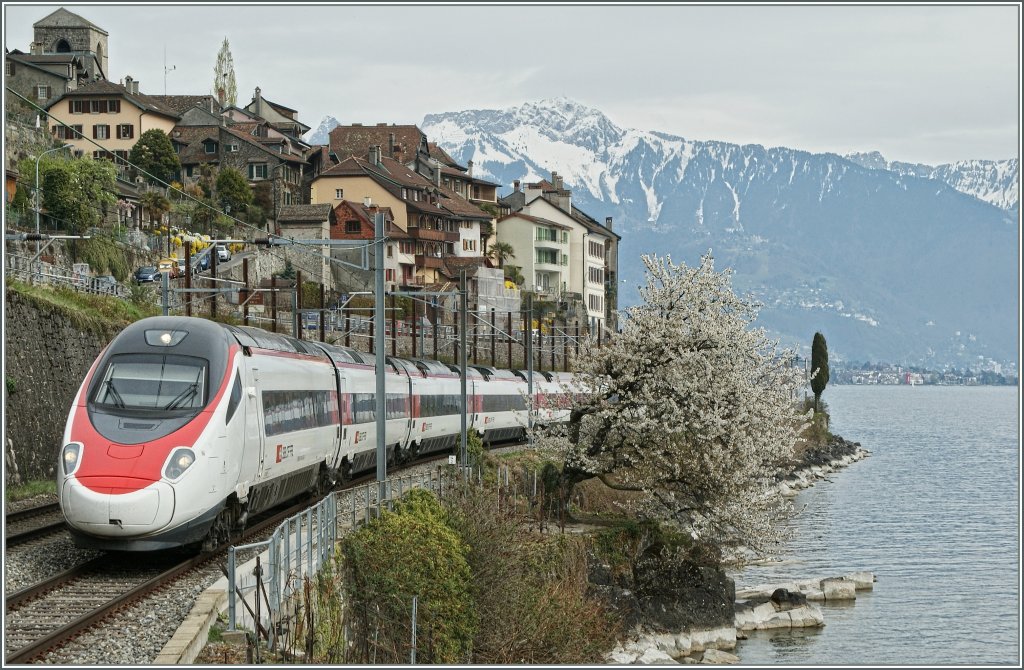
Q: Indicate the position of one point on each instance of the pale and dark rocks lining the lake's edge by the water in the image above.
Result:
(709, 638)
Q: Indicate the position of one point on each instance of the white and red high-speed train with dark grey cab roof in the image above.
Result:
(184, 428)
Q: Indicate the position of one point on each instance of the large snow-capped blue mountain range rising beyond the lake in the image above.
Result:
(890, 264)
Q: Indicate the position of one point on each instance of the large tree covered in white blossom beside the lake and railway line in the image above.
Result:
(692, 405)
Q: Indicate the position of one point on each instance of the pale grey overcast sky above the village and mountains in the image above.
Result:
(929, 85)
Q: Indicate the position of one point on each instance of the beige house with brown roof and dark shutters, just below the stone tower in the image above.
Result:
(104, 119)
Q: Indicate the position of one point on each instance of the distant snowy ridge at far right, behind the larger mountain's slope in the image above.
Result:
(998, 183)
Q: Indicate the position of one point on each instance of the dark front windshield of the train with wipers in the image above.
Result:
(148, 382)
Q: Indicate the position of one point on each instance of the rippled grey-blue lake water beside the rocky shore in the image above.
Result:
(934, 513)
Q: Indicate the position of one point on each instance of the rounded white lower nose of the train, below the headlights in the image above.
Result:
(116, 512)
